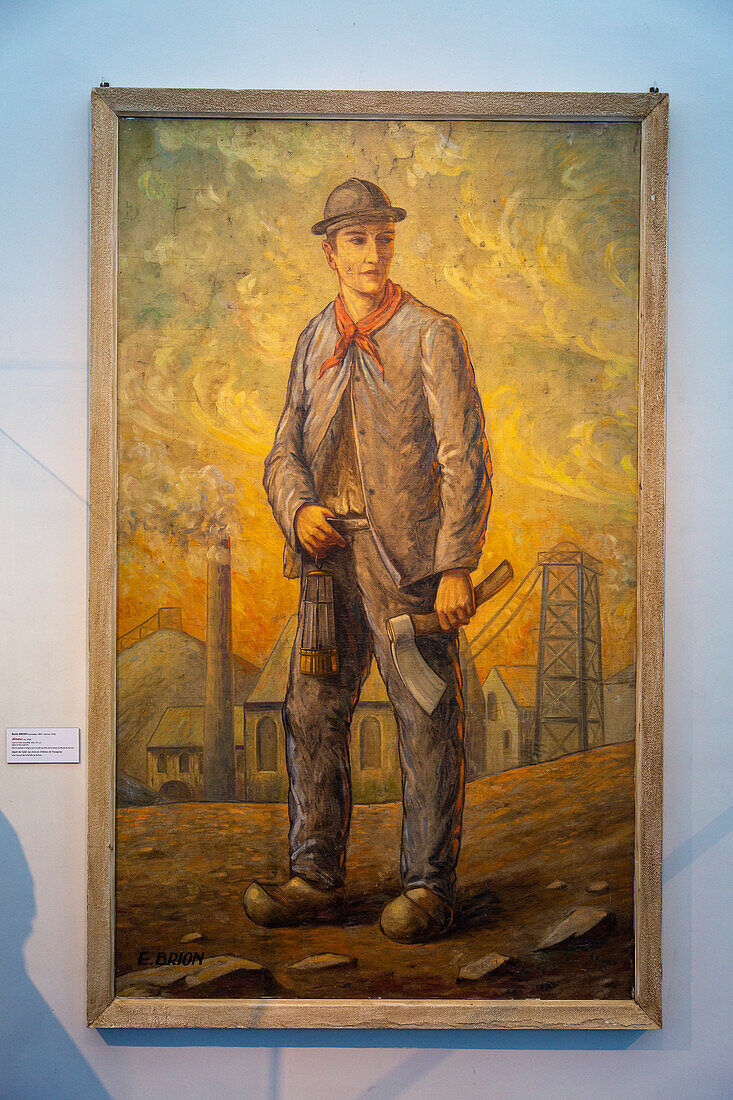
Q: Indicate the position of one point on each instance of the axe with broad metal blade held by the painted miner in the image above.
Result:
(419, 678)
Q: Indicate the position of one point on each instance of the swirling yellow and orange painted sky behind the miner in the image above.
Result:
(528, 234)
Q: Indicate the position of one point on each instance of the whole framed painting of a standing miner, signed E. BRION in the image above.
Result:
(377, 559)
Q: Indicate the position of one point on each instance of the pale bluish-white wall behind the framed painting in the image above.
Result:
(51, 54)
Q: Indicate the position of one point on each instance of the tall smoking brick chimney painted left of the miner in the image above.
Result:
(220, 779)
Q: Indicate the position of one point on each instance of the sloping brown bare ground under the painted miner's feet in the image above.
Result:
(183, 868)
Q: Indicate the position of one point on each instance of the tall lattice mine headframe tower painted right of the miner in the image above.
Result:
(570, 702)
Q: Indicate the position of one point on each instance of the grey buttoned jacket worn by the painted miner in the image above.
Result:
(421, 444)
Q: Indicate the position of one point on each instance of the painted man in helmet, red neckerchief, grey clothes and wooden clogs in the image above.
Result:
(380, 472)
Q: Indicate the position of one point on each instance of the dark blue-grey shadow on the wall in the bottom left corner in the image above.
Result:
(41, 1060)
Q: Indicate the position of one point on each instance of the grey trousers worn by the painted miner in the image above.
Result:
(318, 717)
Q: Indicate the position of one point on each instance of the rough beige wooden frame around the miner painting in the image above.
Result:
(104, 1008)
